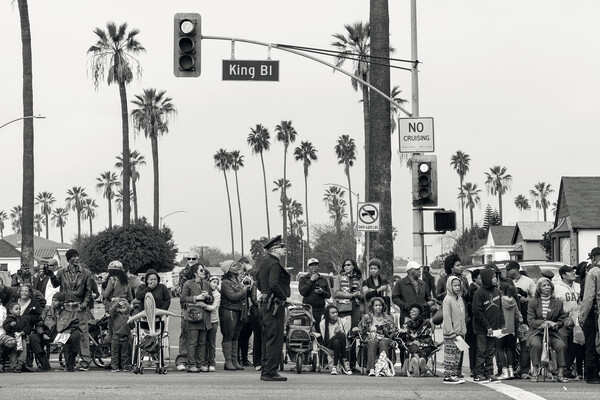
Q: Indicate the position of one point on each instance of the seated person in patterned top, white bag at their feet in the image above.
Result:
(379, 330)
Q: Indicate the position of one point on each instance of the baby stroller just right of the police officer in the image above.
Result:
(301, 346)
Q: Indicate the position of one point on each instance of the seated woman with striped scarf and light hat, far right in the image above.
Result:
(545, 310)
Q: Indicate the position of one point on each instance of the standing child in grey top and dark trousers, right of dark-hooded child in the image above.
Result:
(507, 345)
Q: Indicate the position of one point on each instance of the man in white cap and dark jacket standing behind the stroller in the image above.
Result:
(314, 290)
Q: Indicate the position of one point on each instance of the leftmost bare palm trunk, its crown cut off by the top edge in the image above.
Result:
(28, 138)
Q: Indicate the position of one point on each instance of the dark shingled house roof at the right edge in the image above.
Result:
(581, 199)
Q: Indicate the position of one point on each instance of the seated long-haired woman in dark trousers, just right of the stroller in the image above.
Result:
(334, 331)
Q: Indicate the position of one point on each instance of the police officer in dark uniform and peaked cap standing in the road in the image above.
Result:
(274, 284)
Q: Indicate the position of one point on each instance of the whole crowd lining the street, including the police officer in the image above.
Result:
(499, 318)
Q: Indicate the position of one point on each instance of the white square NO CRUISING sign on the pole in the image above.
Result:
(416, 135)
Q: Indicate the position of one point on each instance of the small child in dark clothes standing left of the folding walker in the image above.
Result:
(121, 335)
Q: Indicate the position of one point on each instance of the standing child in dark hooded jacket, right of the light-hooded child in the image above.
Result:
(487, 317)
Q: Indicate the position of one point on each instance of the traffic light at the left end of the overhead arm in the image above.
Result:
(187, 37)
